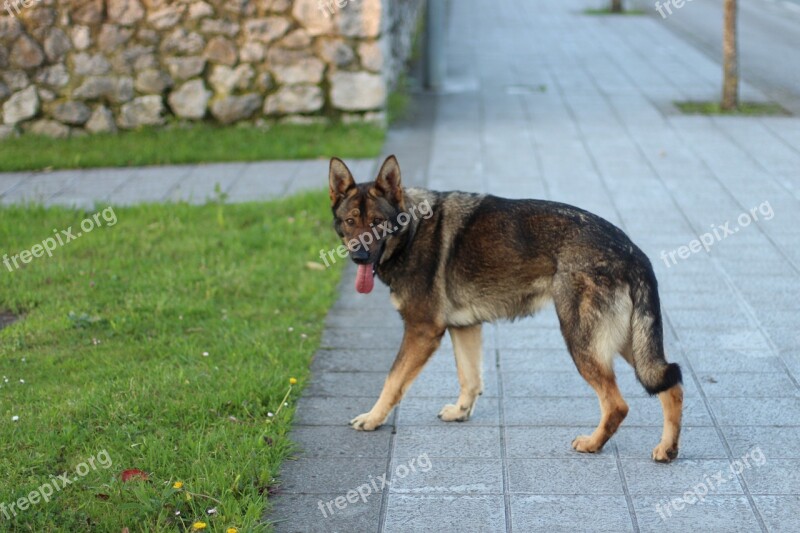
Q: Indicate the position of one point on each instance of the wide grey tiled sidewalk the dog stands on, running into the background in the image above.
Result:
(545, 102)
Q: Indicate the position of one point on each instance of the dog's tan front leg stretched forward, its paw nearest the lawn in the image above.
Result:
(419, 343)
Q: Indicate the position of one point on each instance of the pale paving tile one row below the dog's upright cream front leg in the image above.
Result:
(448, 440)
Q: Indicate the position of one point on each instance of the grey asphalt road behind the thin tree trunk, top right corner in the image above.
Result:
(769, 41)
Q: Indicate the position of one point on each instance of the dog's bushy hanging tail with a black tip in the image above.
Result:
(647, 337)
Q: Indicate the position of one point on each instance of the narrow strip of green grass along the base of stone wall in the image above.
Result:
(203, 143)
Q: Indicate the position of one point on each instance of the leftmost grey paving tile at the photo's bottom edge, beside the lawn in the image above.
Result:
(310, 513)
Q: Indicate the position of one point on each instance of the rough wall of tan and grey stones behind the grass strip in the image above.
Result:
(74, 66)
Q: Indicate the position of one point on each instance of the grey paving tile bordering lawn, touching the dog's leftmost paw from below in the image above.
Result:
(340, 441)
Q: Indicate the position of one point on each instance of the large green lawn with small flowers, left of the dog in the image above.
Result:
(111, 346)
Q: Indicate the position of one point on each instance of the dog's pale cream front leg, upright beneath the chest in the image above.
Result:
(469, 362)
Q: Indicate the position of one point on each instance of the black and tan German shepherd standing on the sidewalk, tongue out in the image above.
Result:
(479, 258)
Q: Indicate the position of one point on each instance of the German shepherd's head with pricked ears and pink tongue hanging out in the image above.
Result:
(365, 214)
